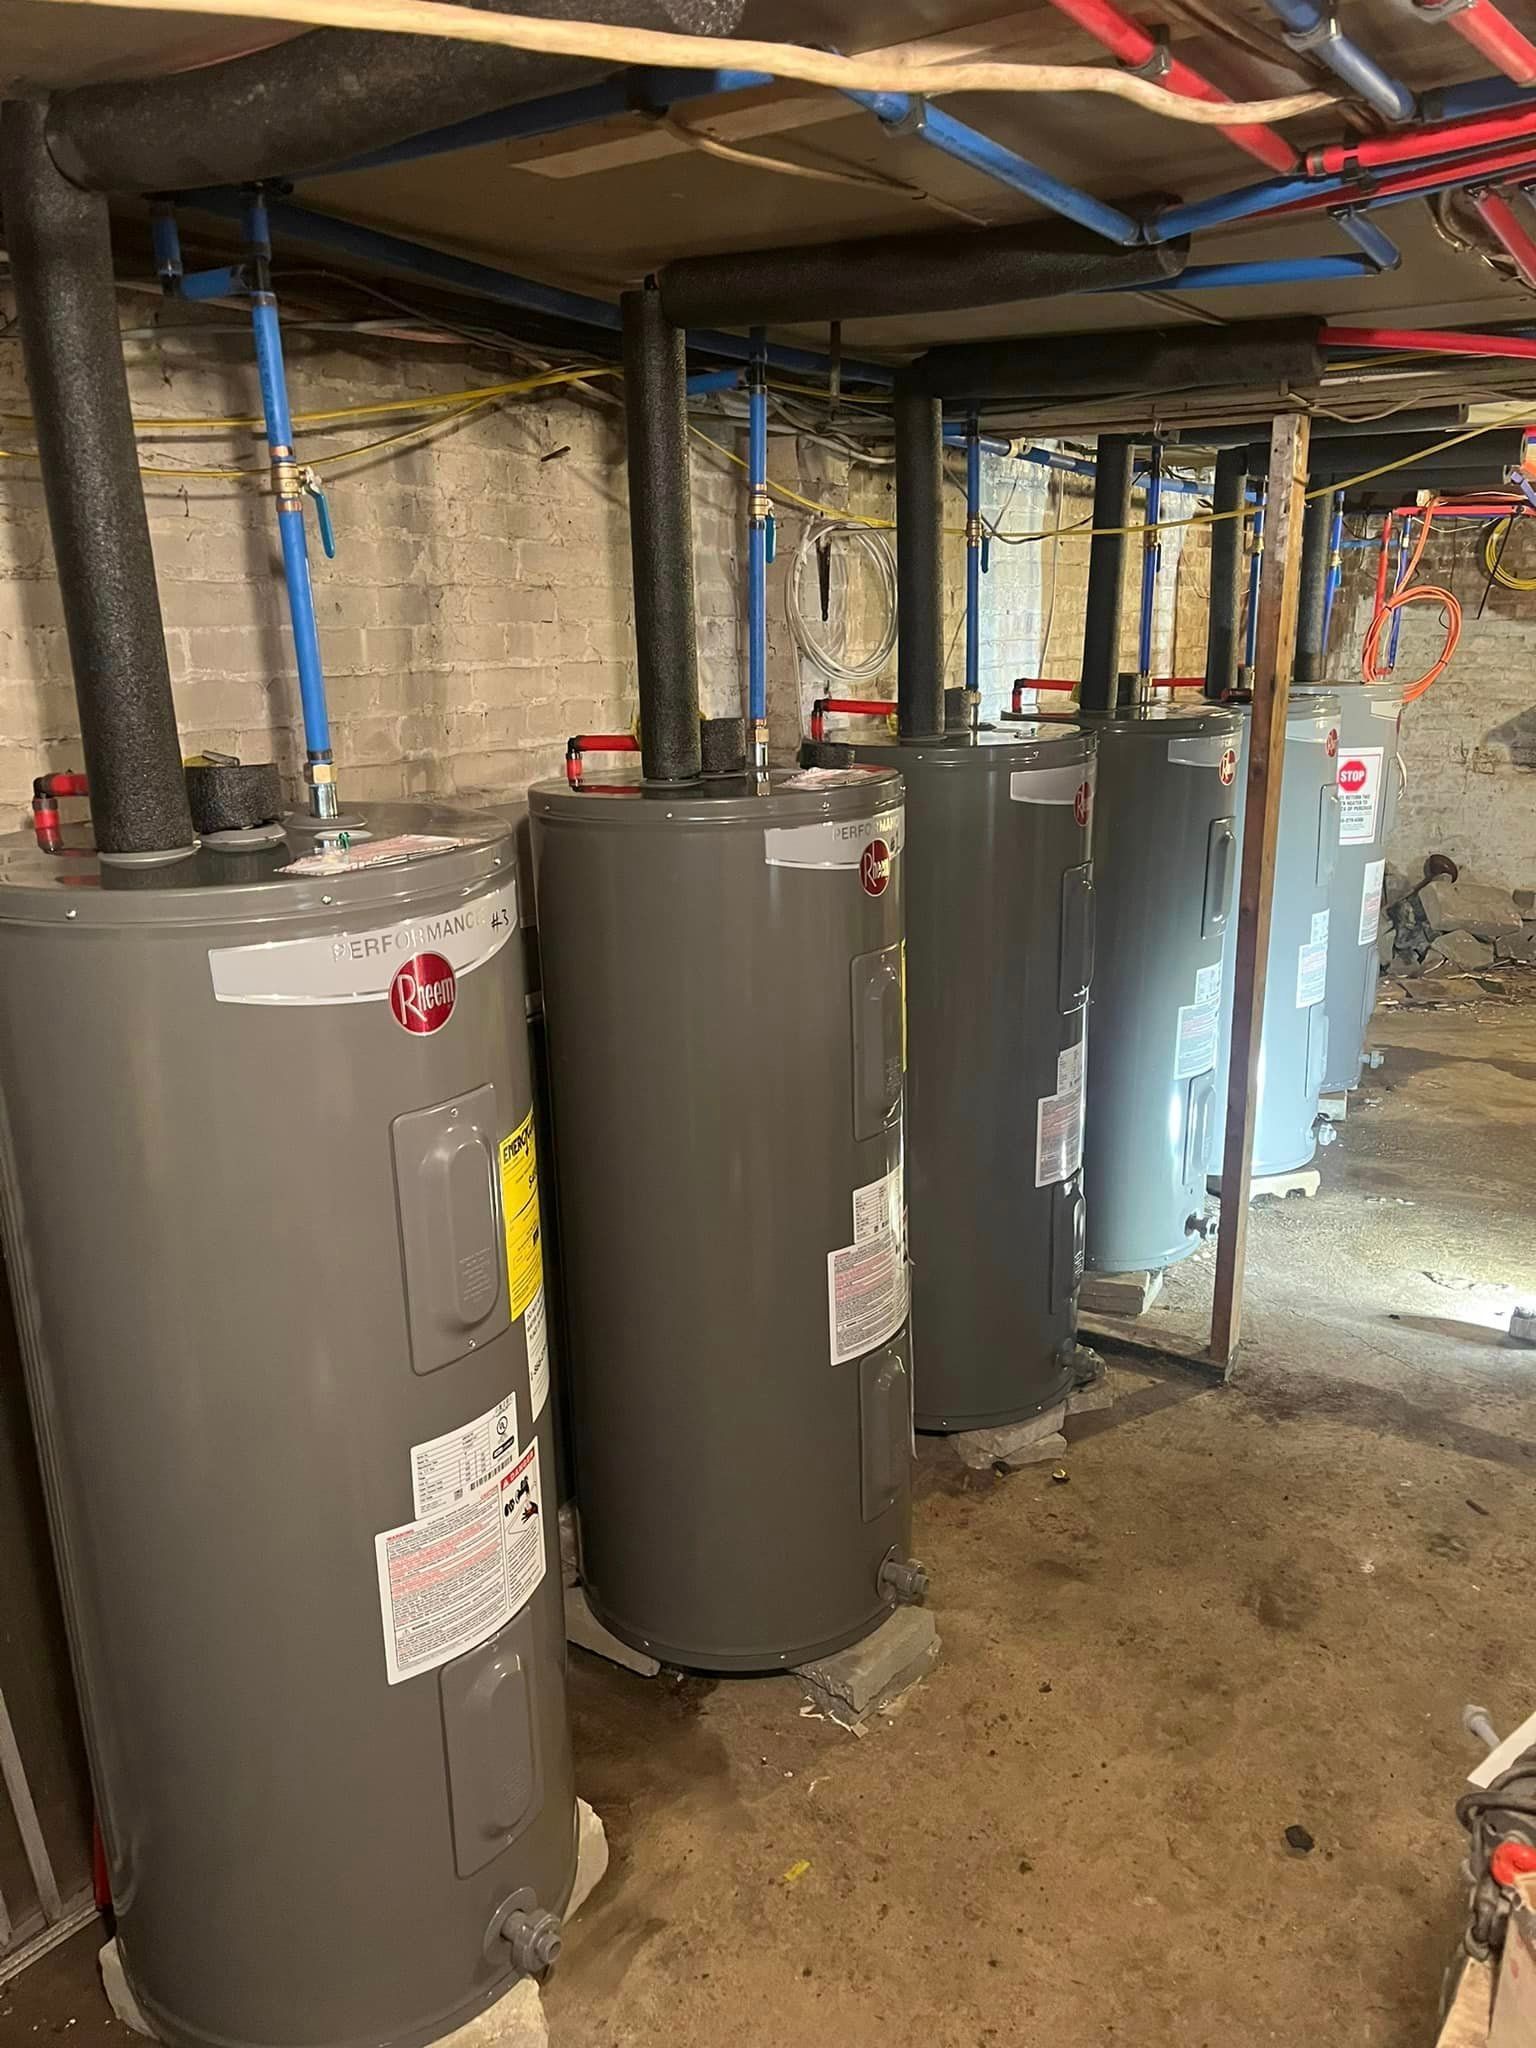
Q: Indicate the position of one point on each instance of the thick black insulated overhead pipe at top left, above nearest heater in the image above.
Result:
(325, 97)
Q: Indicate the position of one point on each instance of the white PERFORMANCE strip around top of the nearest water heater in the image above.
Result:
(357, 966)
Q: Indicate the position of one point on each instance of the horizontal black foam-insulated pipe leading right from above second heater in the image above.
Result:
(906, 275)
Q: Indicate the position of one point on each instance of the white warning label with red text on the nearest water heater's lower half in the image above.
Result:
(460, 1572)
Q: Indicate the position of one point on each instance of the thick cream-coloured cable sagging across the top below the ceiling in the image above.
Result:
(605, 44)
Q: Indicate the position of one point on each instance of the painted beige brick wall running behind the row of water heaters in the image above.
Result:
(480, 603)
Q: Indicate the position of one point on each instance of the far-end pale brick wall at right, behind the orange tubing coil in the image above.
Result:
(1469, 744)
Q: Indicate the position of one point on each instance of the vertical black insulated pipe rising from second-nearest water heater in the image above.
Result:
(663, 540)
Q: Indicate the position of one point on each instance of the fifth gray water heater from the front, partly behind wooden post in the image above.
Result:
(1293, 1048)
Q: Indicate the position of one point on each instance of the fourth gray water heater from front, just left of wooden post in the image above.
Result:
(1164, 863)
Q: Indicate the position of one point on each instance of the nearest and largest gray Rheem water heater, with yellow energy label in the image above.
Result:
(271, 1220)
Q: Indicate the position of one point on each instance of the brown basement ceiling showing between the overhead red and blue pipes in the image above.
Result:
(601, 206)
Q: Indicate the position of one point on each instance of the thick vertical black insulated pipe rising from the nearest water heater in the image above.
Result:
(67, 302)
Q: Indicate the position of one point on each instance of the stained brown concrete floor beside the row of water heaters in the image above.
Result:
(1246, 1609)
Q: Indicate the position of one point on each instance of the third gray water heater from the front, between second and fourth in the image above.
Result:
(1000, 951)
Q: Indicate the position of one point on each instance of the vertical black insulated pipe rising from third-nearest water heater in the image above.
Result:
(921, 562)
